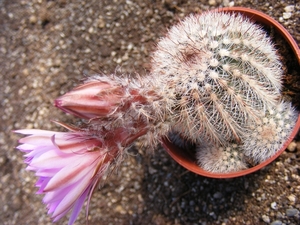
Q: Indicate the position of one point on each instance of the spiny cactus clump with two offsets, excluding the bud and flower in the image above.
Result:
(221, 74)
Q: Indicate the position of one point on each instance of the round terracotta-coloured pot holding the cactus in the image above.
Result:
(187, 159)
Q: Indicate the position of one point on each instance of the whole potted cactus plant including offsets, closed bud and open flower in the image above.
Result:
(214, 85)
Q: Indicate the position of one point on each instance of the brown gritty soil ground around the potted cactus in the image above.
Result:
(47, 47)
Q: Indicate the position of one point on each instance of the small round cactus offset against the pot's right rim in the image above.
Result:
(268, 134)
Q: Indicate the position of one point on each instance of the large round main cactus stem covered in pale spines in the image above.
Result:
(219, 71)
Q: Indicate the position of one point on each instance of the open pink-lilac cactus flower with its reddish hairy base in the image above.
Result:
(70, 164)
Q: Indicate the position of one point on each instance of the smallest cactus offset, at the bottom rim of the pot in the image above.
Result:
(221, 159)
